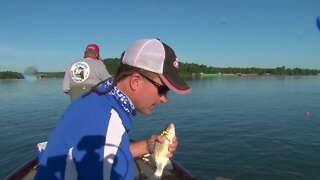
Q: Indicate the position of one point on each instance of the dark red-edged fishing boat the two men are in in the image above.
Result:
(144, 168)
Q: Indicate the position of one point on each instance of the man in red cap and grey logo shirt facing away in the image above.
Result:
(84, 73)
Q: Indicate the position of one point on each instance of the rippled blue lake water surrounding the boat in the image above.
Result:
(238, 128)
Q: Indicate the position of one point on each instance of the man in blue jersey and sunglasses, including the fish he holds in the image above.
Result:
(91, 140)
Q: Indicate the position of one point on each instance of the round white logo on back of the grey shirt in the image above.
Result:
(80, 72)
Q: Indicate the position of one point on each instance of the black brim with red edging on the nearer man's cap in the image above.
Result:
(176, 84)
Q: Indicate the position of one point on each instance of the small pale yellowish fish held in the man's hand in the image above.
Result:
(161, 150)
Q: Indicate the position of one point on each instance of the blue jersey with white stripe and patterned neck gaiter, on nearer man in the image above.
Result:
(91, 139)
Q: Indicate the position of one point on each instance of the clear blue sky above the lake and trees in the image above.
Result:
(220, 33)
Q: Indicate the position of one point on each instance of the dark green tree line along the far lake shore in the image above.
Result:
(186, 70)
